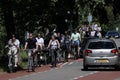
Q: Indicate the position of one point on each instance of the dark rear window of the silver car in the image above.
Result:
(101, 45)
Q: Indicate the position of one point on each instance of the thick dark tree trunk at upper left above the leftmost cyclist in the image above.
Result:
(8, 17)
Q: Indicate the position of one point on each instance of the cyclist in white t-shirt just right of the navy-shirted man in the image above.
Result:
(40, 41)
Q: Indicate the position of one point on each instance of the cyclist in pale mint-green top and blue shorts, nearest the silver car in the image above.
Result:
(75, 37)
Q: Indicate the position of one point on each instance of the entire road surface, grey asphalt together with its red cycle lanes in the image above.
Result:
(72, 70)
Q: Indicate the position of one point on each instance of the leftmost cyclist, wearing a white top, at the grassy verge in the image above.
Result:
(13, 45)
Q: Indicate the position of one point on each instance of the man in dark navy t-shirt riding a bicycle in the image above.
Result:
(32, 45)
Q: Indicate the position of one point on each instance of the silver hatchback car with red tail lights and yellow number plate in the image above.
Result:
(101, 53)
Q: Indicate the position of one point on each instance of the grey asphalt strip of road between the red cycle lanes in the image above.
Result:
(67, 71)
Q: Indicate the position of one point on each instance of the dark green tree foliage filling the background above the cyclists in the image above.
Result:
(35, 15)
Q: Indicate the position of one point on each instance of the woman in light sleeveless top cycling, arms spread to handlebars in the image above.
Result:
(53, 45)
